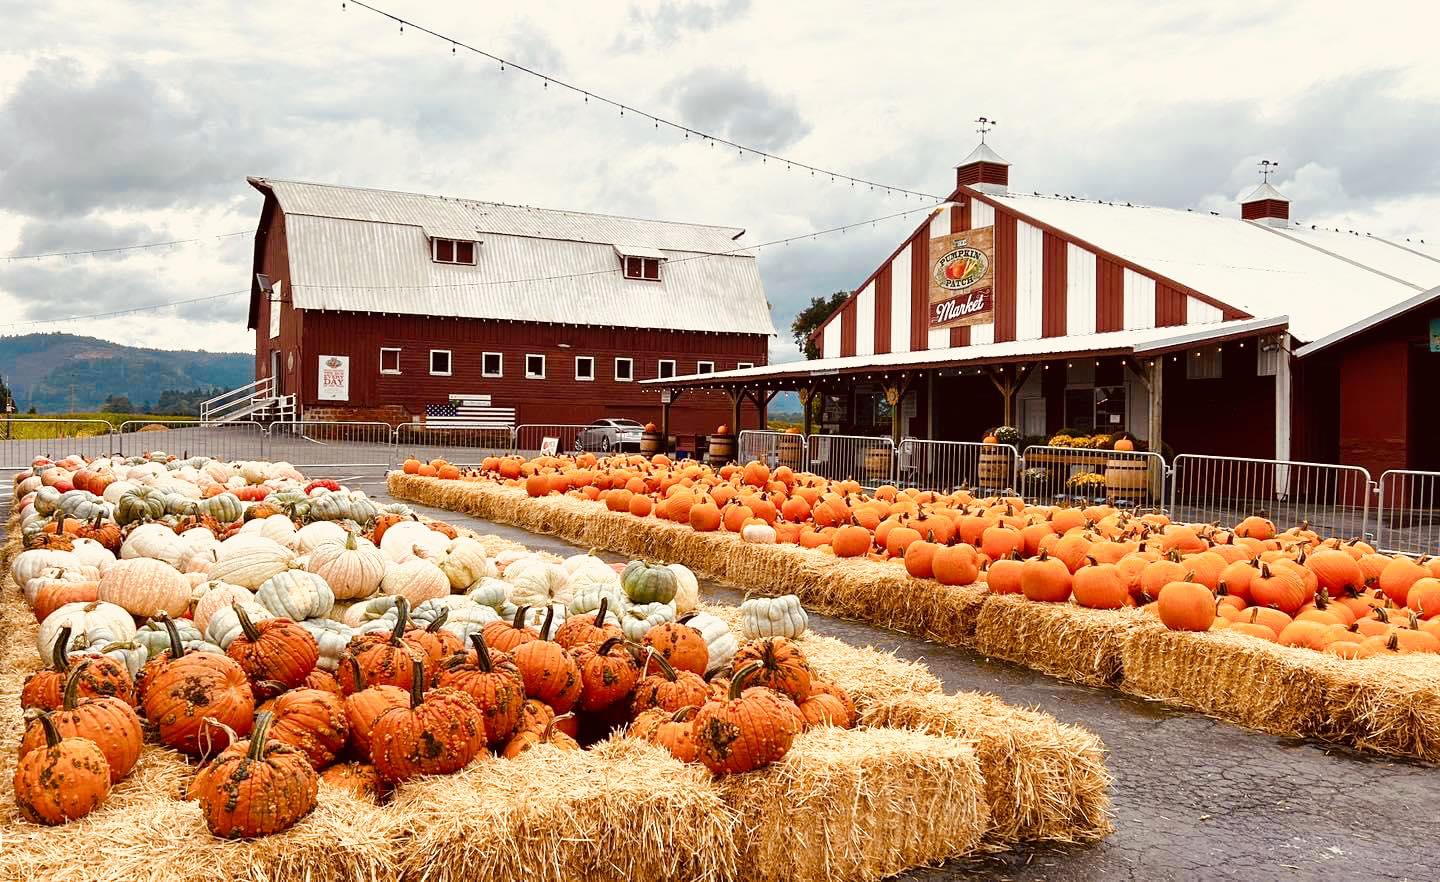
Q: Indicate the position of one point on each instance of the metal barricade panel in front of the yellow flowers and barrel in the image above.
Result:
(1084, 476)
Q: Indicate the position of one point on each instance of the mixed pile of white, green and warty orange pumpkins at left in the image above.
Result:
(283, 631)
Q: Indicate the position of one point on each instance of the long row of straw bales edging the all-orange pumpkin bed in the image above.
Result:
(1387, 705)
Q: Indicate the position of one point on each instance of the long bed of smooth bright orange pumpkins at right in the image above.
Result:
(1292, 587)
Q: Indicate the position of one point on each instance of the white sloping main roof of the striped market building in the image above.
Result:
(1323, 280)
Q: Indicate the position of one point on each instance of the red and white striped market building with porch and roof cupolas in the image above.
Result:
(1249, 335)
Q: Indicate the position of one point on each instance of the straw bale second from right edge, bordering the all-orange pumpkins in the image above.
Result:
(1232, 677)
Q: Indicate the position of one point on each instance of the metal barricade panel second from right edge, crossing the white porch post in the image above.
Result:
(1334, 501)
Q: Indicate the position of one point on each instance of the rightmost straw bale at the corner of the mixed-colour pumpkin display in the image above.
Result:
(1043, 780)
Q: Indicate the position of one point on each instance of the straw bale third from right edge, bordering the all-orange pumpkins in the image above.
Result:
(1063, 641)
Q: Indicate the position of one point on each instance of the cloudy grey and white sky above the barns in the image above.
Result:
(132, 123)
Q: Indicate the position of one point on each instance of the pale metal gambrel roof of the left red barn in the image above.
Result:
(364, 250)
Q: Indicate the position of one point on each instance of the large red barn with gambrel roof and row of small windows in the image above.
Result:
(385, 306)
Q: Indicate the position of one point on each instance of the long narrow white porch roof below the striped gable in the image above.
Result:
(1157, 341)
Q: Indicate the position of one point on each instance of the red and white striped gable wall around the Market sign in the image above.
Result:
(1048, 285)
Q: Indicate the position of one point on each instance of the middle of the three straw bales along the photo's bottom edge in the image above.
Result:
(623, 811)
